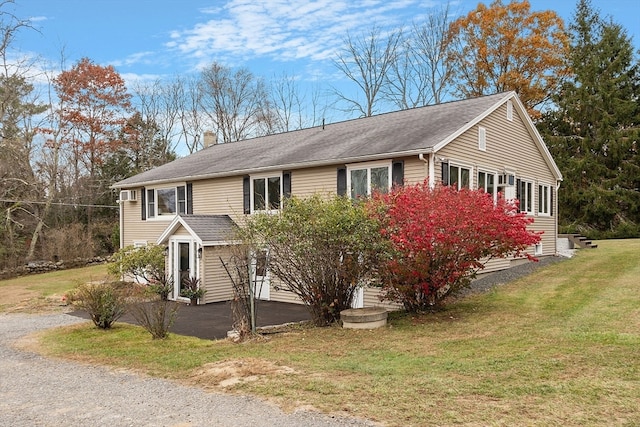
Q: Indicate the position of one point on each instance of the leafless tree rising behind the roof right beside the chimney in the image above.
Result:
(236, 102)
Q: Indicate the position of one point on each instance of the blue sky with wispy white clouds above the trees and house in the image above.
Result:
(149, 39)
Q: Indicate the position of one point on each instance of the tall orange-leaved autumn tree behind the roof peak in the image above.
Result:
(500, 47)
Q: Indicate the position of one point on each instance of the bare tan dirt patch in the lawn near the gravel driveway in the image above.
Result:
(221, 375)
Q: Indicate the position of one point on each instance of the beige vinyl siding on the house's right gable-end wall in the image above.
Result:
(508, 146)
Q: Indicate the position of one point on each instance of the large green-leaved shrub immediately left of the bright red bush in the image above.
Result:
(321, 249)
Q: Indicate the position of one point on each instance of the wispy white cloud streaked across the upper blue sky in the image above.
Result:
(282, 30)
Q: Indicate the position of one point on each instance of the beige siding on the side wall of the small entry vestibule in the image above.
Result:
(213, 276)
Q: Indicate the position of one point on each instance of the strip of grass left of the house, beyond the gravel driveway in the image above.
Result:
(43, 292)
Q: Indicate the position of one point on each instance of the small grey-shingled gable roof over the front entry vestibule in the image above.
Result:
(208, 230)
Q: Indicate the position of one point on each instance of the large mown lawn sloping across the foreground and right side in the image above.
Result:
(559, 347)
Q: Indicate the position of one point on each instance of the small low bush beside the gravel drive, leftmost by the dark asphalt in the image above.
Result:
(104, 302)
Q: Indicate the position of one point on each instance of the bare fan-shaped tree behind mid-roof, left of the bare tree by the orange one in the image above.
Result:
(366, 61)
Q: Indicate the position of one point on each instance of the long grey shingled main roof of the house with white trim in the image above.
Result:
(401, 133)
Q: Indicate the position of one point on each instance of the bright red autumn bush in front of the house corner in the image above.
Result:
(439, 238)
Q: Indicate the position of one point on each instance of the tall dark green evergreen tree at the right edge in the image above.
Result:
(594, 132)
